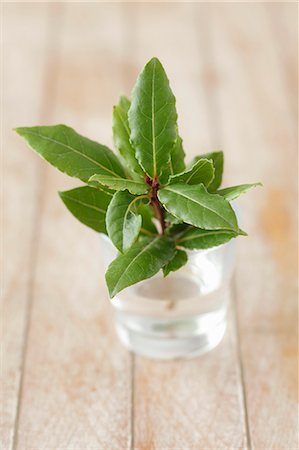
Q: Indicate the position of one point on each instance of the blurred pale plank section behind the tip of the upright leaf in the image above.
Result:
(183, 68)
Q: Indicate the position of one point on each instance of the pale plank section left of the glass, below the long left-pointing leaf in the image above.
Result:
(77, 381)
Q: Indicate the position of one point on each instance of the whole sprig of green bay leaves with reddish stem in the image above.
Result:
(153, 207)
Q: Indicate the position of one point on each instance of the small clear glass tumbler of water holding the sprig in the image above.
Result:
(182, 315)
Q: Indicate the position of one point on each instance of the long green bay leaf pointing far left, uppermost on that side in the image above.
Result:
(72, 153)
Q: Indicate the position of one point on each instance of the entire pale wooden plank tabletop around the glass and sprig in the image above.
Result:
(66, 381)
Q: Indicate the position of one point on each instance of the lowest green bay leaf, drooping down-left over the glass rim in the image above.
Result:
(143, 260)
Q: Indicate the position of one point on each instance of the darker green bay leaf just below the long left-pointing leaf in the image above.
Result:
(88, 205)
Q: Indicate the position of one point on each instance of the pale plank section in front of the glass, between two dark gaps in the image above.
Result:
(190, 404)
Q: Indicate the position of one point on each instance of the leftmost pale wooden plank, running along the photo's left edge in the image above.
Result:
(23, 77)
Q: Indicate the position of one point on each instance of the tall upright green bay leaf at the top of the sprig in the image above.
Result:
(152, 119)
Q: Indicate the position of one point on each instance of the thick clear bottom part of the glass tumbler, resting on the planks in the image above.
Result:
(161, 339)
